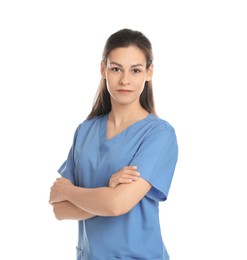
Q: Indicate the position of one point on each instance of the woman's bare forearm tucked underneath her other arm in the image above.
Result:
(67, 210)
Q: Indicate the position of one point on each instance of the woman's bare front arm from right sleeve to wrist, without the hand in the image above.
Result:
(105, 201)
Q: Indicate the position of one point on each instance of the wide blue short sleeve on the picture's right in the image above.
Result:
(156, 159)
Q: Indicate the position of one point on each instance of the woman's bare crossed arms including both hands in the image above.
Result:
(72, 202)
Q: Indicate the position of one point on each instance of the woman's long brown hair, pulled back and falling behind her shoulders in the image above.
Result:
(119, 39)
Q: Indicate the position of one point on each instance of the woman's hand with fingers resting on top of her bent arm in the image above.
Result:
(125, 175)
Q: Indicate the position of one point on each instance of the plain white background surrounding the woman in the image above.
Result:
(50, 53)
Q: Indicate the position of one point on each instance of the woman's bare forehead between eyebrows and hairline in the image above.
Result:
(127, 56)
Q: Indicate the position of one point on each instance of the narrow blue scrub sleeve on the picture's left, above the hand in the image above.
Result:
(67, 169)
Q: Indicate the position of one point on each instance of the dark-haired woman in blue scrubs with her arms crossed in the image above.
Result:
(121, 162)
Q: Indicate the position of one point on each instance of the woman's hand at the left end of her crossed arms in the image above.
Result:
(58, 190)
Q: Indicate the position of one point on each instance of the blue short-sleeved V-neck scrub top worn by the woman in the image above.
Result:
(151, 145)
